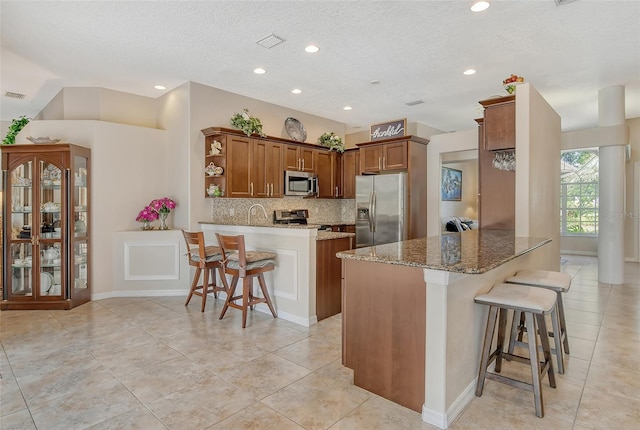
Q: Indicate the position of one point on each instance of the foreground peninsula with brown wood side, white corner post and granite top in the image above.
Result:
(411, 330)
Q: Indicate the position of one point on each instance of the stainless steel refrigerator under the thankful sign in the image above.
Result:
(381, 215)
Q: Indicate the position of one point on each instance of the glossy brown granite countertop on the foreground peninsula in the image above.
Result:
(470, 252)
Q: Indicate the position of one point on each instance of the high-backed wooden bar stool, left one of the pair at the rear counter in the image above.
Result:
(203, 258)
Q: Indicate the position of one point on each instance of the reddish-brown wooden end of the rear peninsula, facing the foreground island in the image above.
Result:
(329, 276)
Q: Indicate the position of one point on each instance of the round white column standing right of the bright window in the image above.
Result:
(612, 187)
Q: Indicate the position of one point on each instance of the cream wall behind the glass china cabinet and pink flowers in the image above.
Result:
(125, 177)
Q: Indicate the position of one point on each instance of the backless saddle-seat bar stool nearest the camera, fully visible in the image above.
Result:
(535, 303)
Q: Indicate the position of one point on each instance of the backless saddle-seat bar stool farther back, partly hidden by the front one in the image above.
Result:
(559, 283)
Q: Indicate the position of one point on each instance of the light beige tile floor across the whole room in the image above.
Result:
(152, 363)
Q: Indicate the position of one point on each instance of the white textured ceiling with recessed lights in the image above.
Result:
(416, 49)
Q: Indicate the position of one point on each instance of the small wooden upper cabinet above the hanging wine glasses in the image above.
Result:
(499, 123)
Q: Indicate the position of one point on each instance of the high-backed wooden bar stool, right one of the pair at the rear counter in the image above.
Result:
(247, 265)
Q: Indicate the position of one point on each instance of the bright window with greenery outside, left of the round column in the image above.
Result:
(579, 193)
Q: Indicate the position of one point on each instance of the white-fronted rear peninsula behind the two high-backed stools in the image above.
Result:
(293, 285)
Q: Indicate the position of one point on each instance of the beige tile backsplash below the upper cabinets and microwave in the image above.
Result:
(321, 211)
